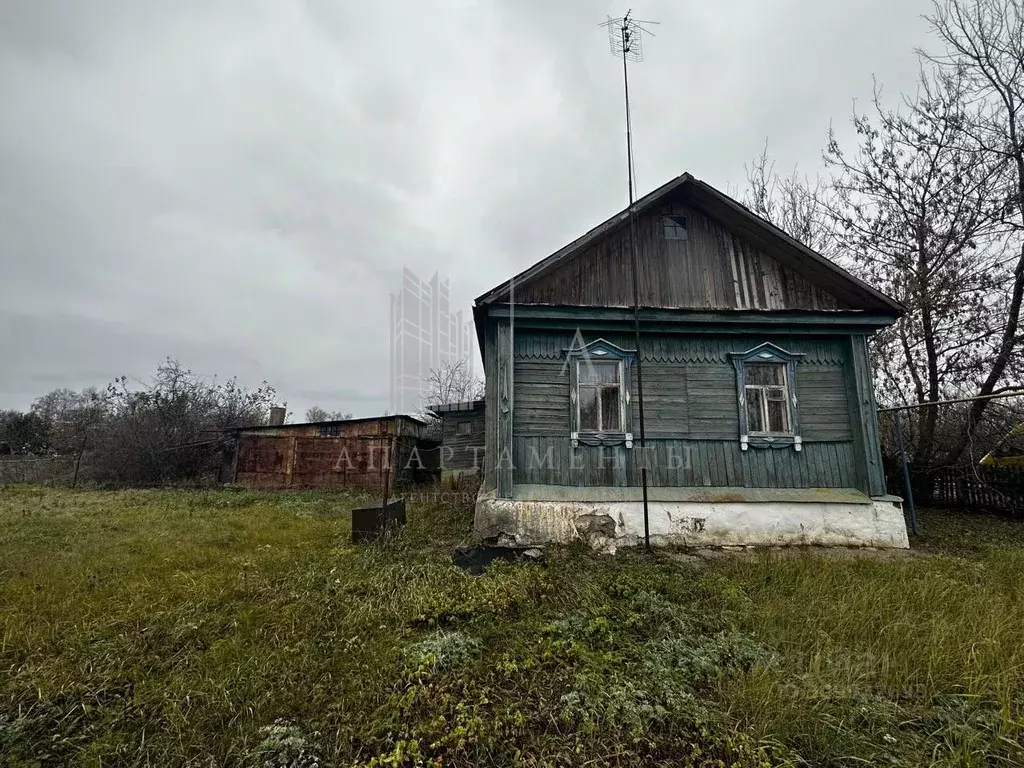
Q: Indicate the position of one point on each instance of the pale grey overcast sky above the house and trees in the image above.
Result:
(239, 184)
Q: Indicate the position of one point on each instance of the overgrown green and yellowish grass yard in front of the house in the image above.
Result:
(174, 628)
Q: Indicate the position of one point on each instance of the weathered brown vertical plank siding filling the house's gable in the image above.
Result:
(712, 270)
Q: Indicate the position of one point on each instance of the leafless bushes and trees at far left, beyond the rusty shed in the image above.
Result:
(168, 430)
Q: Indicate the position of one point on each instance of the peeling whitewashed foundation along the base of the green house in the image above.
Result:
(708, 519)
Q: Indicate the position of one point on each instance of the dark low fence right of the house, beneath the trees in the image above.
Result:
(975, 489)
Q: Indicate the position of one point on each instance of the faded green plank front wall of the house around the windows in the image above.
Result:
(692, 417)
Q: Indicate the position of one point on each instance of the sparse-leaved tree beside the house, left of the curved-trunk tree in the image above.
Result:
(919, 215)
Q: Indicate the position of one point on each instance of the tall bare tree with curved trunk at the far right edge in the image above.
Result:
(985, 47)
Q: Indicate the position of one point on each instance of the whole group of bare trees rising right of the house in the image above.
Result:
(928, 205)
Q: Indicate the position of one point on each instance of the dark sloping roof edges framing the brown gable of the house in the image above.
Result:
(740, 220)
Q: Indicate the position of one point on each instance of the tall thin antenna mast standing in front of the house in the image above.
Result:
(626, 38)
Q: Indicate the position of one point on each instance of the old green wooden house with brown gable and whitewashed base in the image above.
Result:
(759, 413)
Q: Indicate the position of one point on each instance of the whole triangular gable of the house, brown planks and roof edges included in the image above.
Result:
(698, 249)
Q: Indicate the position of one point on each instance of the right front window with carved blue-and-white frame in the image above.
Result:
(767, 396)
